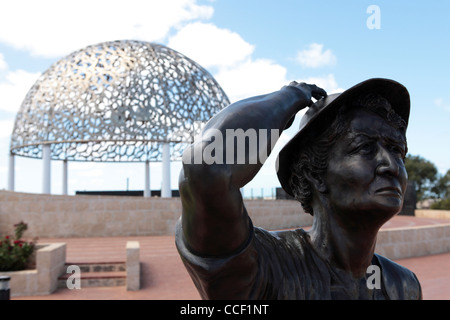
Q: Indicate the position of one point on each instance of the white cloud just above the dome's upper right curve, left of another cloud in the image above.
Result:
(211, 46)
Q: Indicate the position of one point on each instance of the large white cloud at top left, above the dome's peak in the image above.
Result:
(50, 28)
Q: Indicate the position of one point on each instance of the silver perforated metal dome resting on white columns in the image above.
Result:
(116, 101)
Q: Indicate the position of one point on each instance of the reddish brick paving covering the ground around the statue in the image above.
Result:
(163, 276)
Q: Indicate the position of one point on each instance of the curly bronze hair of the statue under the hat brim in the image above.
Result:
(313, 151)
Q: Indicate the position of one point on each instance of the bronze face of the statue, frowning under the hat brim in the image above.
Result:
(366, 175)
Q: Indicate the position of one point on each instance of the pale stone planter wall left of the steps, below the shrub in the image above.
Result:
(50, 260)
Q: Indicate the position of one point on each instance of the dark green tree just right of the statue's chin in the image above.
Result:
(425, 175)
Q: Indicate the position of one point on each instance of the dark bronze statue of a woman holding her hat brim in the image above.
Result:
(345, 165)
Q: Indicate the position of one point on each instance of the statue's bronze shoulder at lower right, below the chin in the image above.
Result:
(399, 282)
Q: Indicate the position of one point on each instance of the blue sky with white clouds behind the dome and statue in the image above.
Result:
(251, 47)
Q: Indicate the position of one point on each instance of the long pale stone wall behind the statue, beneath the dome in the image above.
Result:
(56, 216)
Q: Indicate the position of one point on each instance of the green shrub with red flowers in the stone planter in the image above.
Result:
(15, 253)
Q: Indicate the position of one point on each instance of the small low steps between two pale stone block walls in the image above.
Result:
(97, 274)
